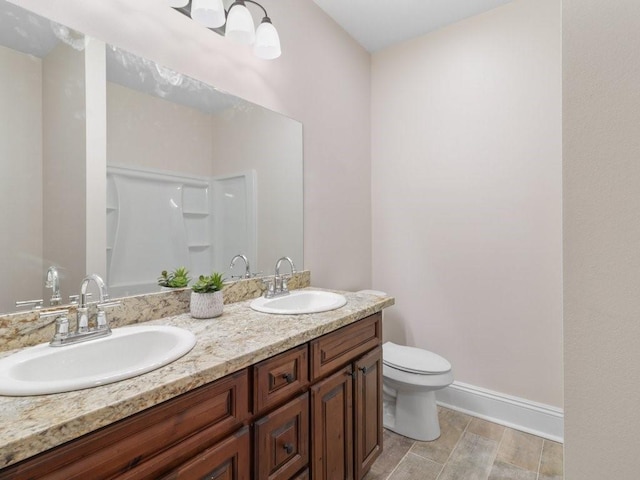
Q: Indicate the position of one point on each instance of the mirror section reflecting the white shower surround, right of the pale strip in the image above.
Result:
(195, 176)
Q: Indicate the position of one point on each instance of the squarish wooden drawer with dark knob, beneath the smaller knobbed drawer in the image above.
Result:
(282, 441)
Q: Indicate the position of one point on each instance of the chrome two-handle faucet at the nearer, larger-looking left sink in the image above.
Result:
(83, 332)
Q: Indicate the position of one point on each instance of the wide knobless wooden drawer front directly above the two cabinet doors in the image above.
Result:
(336, 349)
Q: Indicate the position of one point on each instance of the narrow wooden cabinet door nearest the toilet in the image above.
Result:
(368, 411)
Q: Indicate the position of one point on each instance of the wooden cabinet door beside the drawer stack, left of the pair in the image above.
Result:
(332, 427)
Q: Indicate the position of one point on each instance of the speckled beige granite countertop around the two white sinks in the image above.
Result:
(229, 343)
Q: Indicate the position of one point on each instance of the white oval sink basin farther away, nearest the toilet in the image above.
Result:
(300, 301)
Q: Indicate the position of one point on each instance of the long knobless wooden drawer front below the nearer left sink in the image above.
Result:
(142, 440)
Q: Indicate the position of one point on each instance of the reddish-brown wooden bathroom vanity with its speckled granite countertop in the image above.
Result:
(260, 396)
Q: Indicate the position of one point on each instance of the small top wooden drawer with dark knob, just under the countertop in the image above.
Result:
(279, 378)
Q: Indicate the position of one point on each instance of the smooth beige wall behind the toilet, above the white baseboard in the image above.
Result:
(467, 196)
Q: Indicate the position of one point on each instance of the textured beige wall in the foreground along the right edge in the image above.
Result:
(601, 170)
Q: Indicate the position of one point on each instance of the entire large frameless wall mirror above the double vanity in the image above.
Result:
(116, 165)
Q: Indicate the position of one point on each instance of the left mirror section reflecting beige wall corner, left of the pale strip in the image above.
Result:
(42, 155)
